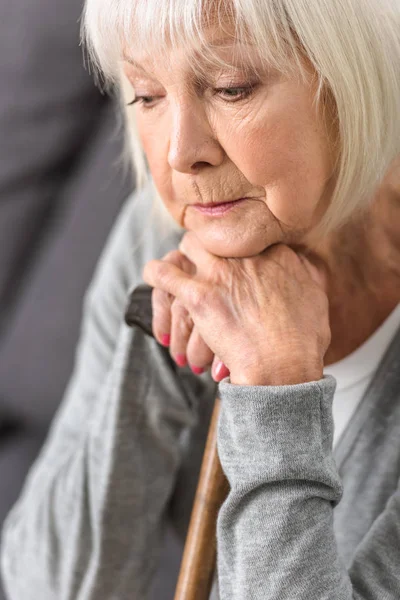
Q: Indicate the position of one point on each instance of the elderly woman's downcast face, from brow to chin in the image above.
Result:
(242, 160)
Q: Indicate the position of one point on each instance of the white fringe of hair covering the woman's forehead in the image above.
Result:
(208, 33)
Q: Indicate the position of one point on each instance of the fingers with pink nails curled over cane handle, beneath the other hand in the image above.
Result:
(173, 327)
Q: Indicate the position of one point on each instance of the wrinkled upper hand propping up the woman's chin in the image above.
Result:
(266, 317)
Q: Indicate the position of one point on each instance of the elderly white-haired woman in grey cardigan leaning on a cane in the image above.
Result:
(271, 130)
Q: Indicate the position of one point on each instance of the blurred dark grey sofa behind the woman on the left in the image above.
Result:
(62, 183)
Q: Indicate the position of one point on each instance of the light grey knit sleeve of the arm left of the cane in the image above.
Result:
(89, 520)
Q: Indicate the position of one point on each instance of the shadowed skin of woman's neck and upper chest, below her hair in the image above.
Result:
(363, 265)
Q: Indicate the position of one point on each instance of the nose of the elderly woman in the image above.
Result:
(193, 144)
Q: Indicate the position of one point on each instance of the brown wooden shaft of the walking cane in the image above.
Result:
(199, 557)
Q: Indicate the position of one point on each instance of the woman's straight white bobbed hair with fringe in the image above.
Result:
(353, 46)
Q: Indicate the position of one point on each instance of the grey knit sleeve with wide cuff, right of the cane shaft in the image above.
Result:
(275, 530)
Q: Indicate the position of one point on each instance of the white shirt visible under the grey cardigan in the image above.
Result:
(355, 372)
